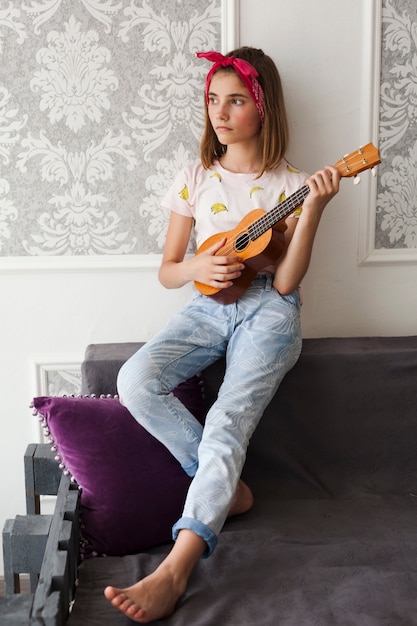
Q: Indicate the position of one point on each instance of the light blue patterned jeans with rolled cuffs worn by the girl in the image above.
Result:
(260, 336)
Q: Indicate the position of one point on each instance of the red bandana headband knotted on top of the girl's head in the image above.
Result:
(246, 72)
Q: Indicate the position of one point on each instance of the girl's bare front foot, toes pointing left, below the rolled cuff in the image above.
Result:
(152, 598)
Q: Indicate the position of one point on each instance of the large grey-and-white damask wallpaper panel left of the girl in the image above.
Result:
(100, 105)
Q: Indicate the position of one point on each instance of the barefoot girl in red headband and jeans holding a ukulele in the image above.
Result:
(242, 167)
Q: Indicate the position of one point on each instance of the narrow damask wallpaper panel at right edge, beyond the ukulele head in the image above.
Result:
(396, 210)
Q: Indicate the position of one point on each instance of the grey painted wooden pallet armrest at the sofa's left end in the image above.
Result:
(54, 594)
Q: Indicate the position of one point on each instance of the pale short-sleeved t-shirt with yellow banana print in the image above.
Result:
(218, 199)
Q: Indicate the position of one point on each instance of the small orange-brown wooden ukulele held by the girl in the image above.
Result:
(258, 239)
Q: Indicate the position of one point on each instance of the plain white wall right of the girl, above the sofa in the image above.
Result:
(322, 50)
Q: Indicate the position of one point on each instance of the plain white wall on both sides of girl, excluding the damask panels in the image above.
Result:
(319, 49)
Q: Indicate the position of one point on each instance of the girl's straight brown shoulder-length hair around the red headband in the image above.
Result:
(274, 134)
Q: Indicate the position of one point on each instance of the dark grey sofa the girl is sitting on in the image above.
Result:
(332, 537)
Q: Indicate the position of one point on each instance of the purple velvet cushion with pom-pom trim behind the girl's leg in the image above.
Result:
(132, 488)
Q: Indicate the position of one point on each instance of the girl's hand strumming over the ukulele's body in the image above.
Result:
(216, 271)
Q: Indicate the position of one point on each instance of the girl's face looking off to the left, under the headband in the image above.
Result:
(231, 110)
